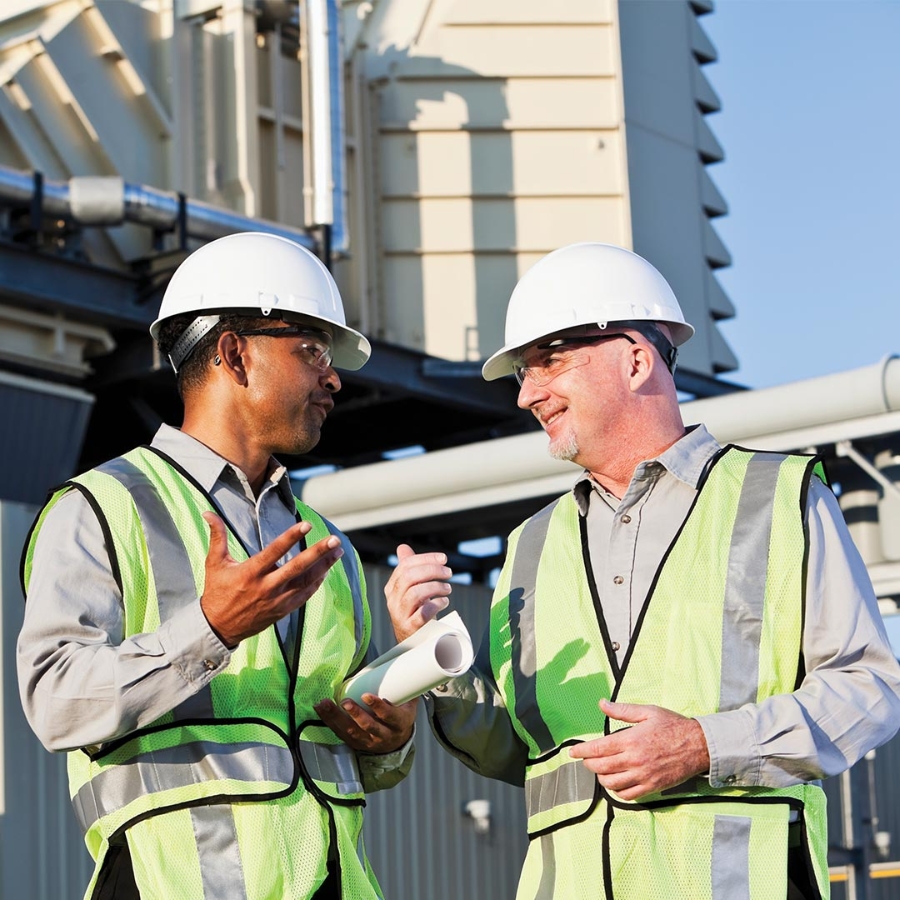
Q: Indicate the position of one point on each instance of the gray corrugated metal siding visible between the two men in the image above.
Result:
(419, 840)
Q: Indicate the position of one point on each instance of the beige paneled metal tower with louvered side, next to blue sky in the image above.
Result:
(502, 129)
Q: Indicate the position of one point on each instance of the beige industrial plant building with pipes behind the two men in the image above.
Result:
(430, 153)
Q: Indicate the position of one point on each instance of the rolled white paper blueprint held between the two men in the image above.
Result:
(439, 650)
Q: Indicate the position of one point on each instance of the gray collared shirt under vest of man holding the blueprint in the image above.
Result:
(80, 680)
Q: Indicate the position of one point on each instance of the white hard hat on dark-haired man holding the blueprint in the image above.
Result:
(259, 274)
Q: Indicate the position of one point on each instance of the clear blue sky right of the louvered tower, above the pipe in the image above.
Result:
(810, 125)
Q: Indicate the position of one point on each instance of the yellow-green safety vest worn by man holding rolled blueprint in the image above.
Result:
(189, 781)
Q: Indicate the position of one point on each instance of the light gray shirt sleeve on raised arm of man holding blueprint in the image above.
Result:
(81, 682)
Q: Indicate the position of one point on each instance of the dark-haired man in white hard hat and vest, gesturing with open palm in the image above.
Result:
(189, 622)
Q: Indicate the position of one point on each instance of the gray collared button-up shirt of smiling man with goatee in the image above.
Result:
(848, 703)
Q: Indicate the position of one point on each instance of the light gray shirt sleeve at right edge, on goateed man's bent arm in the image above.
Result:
(849, 699)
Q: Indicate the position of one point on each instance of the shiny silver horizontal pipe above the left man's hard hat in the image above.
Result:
(109, 201)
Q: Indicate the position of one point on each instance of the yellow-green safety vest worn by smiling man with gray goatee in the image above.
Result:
(721, 627)
